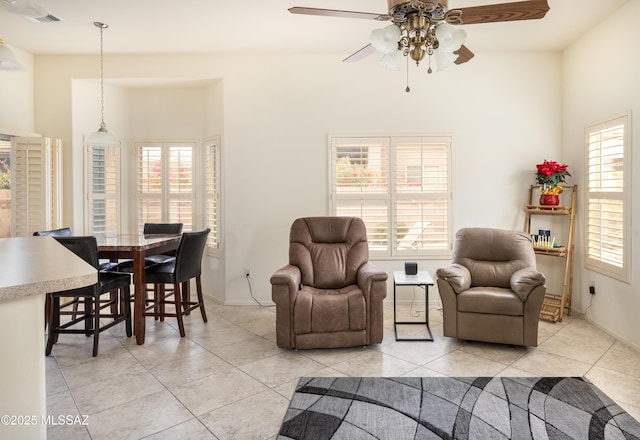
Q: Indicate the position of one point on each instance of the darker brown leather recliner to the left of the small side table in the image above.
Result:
(328, 295)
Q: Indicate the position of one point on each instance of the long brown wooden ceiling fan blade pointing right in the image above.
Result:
(527, 10)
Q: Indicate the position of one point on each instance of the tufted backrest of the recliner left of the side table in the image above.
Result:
(328, 250)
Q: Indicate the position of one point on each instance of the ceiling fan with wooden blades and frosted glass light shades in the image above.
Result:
(428, 27)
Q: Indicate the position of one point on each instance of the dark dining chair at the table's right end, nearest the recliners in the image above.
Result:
(178, 272)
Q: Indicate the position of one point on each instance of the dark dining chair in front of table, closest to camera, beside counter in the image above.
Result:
(86, 247)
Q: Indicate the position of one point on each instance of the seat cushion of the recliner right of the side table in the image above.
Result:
(490, 300)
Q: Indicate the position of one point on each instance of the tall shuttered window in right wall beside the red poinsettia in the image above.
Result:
(608, 197)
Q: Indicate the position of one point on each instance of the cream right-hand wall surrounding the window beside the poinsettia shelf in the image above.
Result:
(600, 79)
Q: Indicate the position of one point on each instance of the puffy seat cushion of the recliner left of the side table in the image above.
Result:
(329, 310)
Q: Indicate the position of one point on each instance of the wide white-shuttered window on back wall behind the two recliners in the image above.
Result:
(400, 186)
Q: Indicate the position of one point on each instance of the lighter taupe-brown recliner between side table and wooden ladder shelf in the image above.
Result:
(492, 291)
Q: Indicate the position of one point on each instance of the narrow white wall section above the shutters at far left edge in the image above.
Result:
(16, 97)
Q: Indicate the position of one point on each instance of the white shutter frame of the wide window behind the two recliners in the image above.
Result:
(391, 196)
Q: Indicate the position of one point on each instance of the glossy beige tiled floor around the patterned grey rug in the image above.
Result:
(227, 379)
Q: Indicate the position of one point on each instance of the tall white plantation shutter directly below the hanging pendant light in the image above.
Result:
(103, 190)
